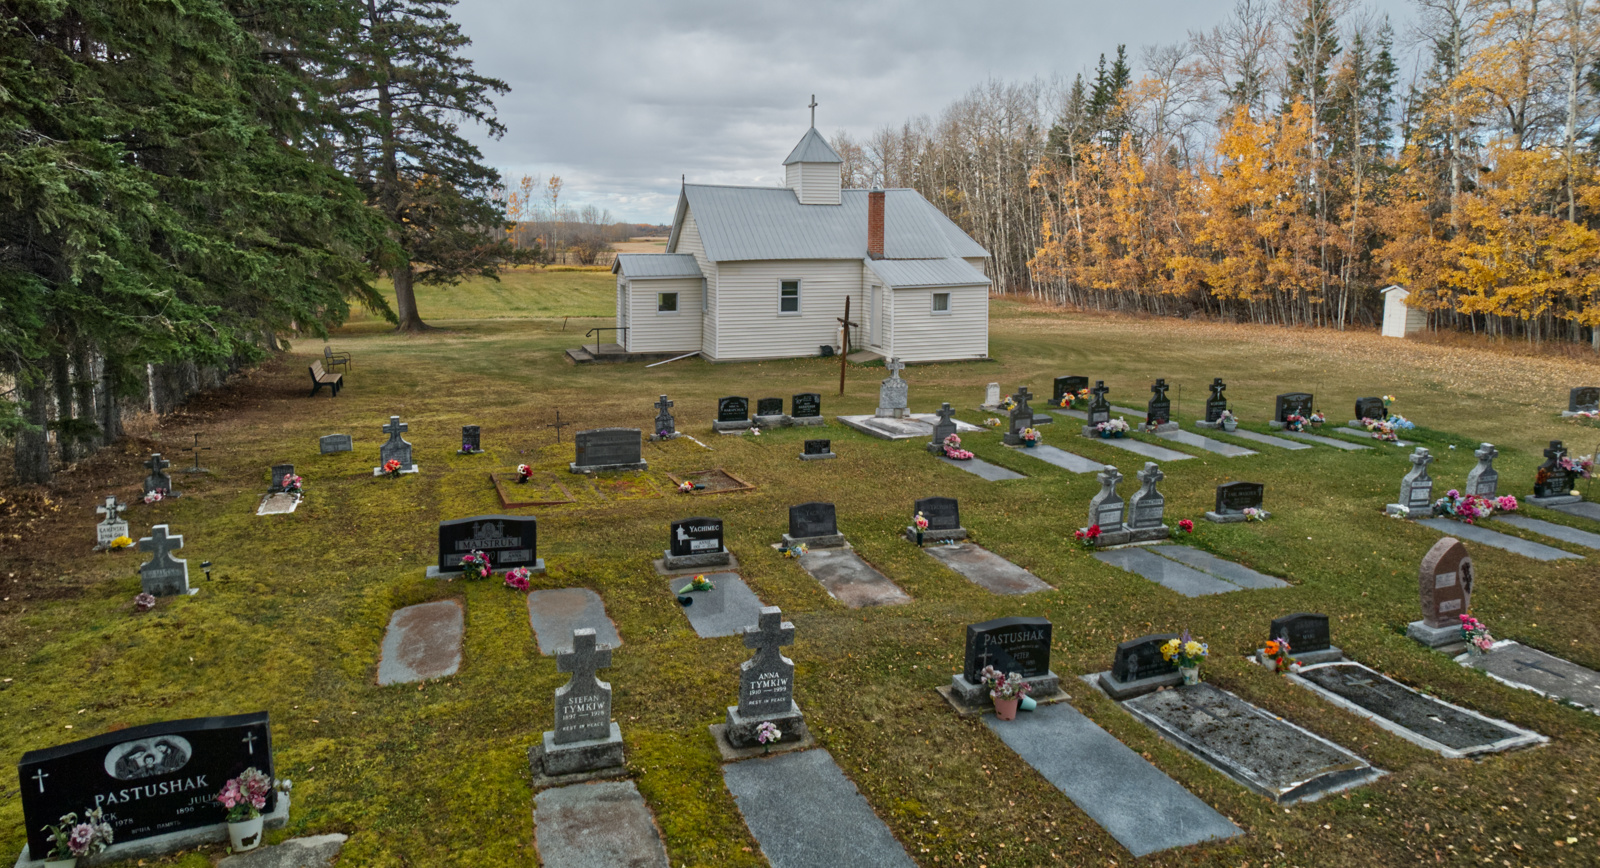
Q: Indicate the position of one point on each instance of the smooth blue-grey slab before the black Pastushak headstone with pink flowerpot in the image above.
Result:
(1132, 800)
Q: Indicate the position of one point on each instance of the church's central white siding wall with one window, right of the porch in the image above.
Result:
(750, 324)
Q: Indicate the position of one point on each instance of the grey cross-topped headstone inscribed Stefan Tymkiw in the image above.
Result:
(585, 737)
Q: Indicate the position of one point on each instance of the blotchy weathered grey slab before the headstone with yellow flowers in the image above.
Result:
(1254, 747)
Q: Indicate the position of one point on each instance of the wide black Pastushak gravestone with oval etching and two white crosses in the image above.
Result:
(150, 781)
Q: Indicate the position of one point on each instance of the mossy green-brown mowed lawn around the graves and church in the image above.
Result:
(438, 774)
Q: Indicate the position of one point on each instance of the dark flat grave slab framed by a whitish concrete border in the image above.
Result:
(1434, 725)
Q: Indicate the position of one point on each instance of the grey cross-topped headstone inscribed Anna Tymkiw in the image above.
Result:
(767, 685)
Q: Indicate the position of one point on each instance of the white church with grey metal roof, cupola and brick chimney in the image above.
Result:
(764, 273)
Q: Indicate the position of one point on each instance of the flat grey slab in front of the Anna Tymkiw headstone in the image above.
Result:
(807, 814)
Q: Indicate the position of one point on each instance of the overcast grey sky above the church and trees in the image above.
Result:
(622, 98)
